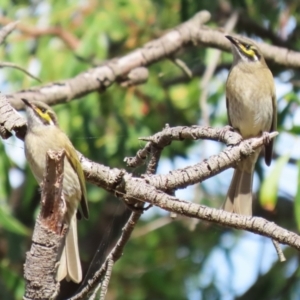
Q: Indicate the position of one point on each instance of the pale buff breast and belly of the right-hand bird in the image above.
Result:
(249, 100)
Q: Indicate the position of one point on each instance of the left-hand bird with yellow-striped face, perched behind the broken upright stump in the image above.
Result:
(43, 134)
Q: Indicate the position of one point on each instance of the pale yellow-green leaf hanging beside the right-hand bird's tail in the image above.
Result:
(269, 188)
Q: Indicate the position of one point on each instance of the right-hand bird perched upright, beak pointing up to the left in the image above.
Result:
(252, 111)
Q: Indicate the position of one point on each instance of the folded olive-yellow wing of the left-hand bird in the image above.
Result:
(75, 163)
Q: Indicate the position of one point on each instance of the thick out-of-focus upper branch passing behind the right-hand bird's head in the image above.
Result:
(101, 77)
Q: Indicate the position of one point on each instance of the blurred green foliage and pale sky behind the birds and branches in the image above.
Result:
(173, 262)
